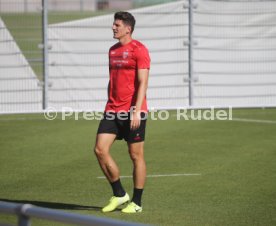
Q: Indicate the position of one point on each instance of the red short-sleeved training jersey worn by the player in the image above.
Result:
(124, 62)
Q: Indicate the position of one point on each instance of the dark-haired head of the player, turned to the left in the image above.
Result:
(123, 24)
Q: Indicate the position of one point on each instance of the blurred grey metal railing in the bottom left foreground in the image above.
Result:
(26, 211)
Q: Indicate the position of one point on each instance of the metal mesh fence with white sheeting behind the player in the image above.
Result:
(204, 53)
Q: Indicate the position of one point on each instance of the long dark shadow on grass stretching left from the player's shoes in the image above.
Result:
(54, 205)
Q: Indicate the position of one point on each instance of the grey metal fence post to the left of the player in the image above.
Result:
(45, 52)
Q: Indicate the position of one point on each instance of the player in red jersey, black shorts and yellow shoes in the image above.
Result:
(125, 112)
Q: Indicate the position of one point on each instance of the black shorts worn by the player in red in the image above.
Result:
(120, 126)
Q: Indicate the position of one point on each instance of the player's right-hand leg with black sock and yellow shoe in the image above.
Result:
(136, 152)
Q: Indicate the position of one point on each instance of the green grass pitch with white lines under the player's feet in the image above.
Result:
(51, 164)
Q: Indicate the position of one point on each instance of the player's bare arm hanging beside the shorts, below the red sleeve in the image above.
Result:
(143, 75)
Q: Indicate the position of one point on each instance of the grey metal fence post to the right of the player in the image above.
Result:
(190, 43)
